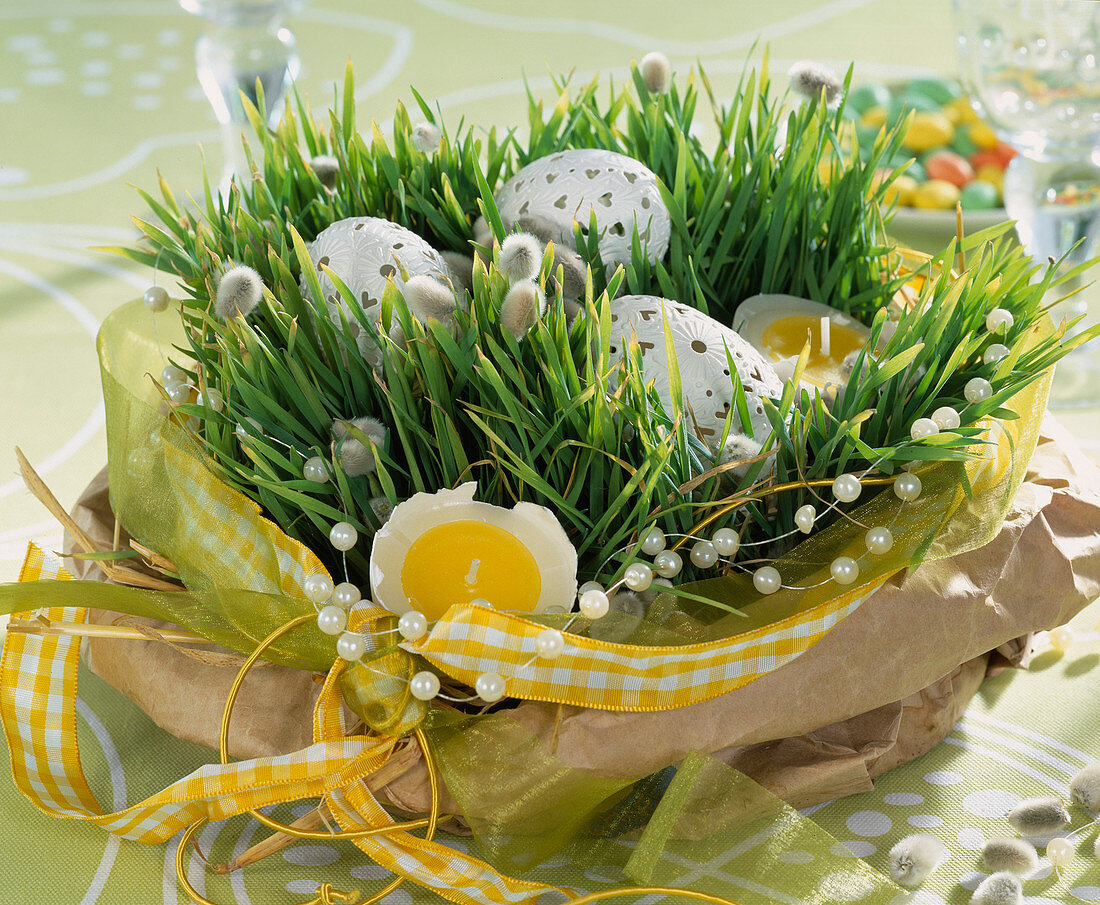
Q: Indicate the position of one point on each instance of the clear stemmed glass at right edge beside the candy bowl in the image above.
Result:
(1033, 72)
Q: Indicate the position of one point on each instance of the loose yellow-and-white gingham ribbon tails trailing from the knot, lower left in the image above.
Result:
(38, 705)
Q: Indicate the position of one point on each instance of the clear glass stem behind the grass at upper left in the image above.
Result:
(244, 41)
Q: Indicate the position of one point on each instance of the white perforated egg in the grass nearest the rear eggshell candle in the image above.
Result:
(701, 344)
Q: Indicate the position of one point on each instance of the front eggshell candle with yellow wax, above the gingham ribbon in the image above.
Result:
(443, 549)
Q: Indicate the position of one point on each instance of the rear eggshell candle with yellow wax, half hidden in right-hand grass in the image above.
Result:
(778, 326)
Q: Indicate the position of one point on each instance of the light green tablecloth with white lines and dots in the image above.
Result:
(95, 96)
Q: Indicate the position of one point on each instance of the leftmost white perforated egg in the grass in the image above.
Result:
(362, 251)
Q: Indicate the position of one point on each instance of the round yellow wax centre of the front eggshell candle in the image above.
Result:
(465, 560)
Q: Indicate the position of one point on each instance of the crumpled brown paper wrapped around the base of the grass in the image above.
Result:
(882, 689)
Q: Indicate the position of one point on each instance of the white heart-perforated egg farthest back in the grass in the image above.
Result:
(569, 185)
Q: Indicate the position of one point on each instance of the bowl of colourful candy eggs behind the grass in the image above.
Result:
(956, 158)
